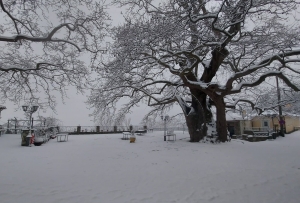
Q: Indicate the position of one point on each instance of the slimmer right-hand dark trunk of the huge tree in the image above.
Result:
(221, 123)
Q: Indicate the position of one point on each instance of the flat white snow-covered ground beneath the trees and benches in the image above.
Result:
(106, 169)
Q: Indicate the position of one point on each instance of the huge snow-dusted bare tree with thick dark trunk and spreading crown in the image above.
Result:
(197, 53)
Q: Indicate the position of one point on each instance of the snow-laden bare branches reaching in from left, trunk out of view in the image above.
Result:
(47, 46)
